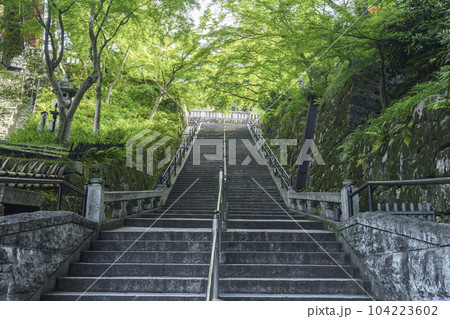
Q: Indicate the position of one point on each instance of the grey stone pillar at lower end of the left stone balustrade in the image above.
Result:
(95, 202)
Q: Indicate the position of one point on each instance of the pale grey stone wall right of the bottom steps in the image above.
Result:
(404, 258)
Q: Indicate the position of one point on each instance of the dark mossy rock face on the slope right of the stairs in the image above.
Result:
(426, 156)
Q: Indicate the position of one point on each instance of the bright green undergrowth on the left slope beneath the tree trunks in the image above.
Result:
(121, 119)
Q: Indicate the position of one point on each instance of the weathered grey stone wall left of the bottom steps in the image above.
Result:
(34, 246)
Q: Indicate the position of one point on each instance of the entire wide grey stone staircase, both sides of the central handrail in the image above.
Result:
(165, 254)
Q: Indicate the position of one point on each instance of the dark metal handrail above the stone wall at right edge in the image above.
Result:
(372, 185)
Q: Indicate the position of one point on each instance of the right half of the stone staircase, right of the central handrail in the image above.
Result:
(270, 254)
